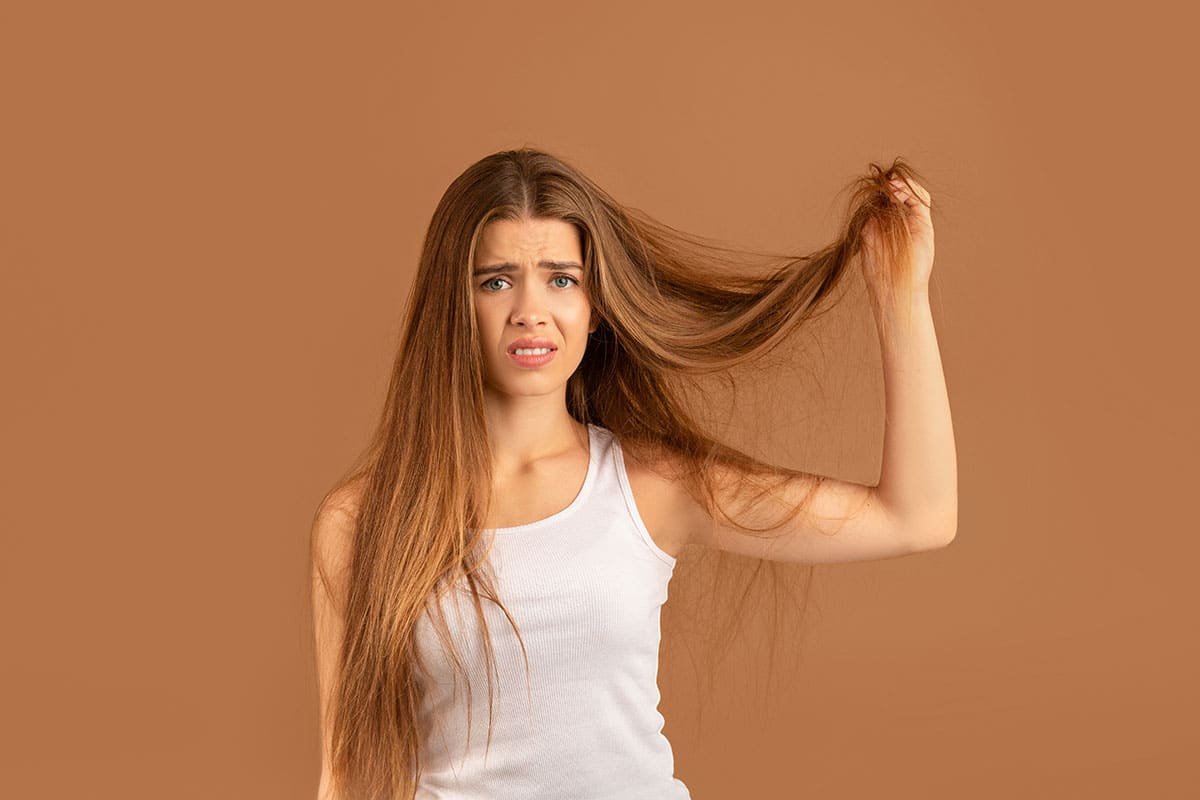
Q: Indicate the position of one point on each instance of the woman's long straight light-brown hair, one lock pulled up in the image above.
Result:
(674, 308)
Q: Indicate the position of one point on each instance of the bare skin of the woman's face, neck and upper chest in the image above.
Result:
(539, 452)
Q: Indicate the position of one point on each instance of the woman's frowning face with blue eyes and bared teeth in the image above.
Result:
(519, 297)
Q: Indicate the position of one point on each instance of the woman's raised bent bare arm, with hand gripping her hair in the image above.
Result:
(915, 506)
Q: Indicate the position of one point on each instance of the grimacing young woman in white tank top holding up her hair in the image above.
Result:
(505, 544)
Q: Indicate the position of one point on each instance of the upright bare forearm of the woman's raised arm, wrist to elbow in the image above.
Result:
(919, 480)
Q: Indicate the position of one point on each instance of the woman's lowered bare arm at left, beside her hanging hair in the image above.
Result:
(333, 531)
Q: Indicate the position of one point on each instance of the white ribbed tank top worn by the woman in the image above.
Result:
(586, 587)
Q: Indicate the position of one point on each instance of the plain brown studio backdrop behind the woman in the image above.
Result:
(211, 215)
